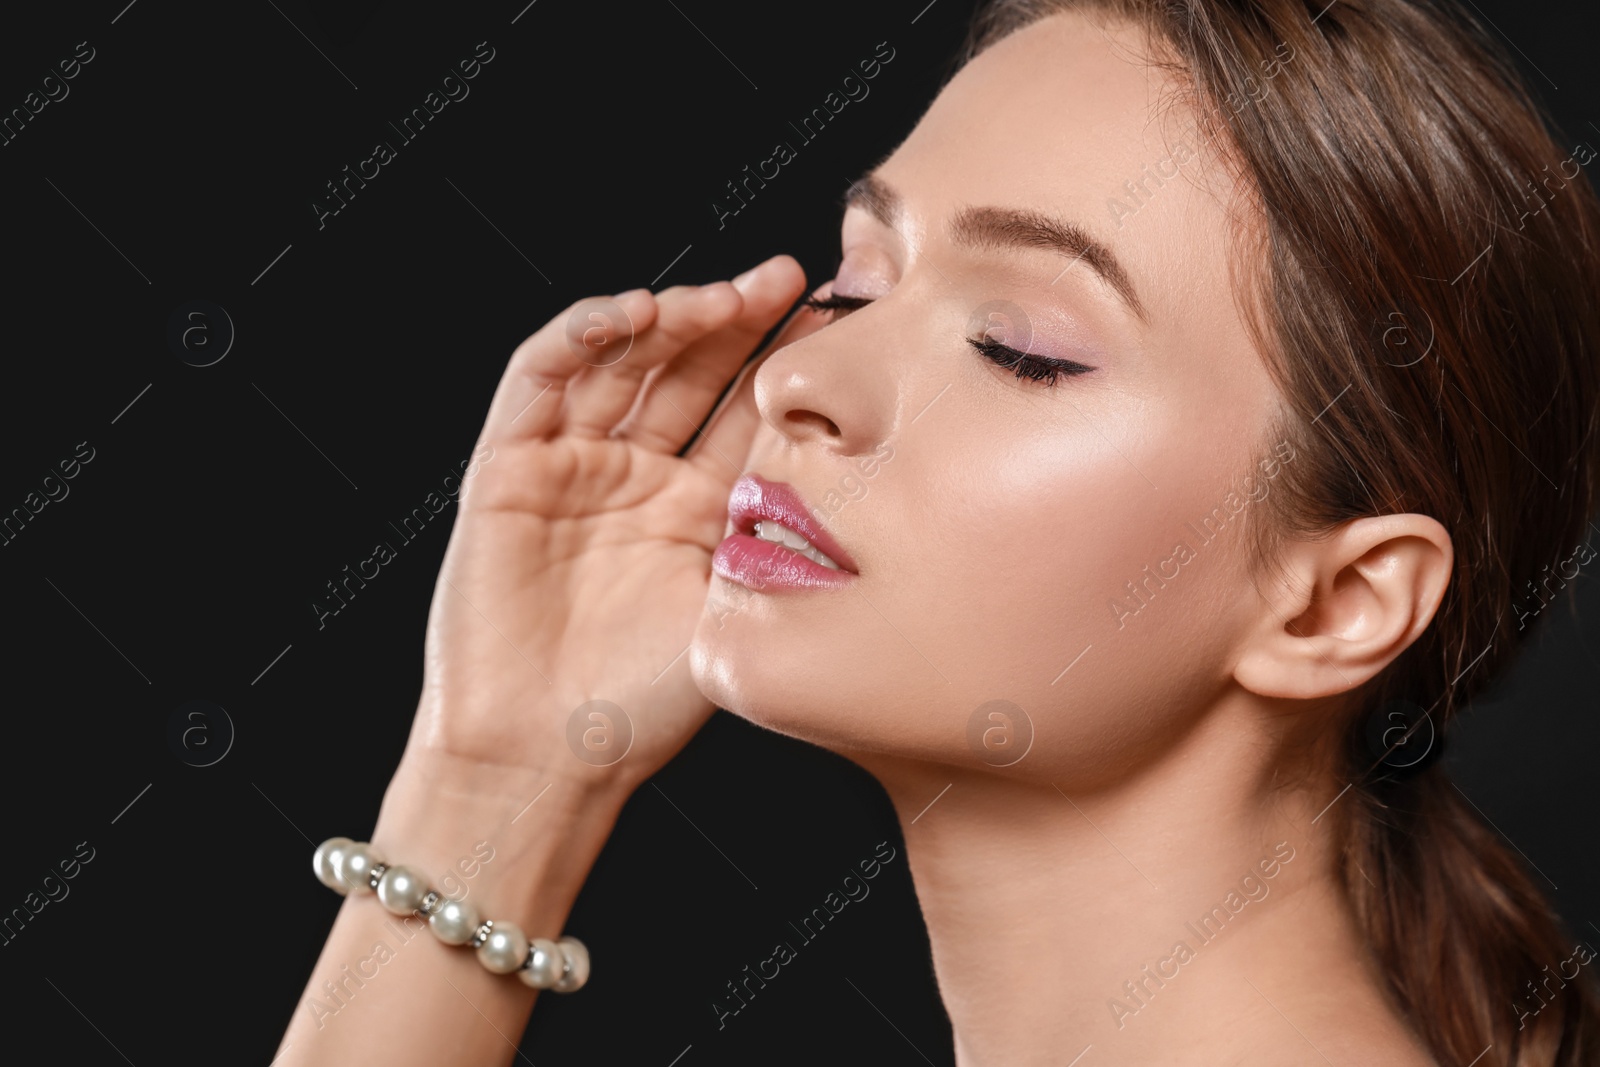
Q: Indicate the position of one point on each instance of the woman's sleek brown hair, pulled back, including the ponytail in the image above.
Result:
(1430, 303)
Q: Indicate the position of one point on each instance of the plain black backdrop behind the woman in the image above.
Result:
(186, 557)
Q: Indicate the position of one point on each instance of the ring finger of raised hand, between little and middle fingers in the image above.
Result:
(599, 399)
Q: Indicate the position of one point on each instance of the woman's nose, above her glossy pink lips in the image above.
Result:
(830, 390)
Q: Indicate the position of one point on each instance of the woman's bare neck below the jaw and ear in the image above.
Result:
(1145, 919)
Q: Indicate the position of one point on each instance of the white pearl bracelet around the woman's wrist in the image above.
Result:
(348, 866)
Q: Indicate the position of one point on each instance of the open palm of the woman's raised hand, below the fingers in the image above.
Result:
(594, 589)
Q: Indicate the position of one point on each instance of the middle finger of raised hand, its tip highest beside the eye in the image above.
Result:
(678, 401)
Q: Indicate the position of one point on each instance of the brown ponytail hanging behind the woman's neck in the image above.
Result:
(1473, 954)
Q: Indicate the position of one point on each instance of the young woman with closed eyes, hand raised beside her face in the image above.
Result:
(1226, 378)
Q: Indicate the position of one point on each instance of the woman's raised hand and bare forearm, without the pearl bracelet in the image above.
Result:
(577, 572)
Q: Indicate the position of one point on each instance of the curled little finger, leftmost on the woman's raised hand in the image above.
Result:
(529, 401)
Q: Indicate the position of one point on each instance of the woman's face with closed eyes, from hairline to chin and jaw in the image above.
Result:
(1052, 201)
